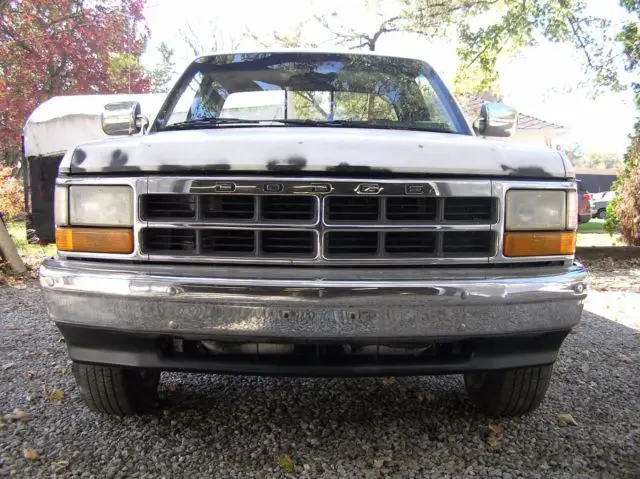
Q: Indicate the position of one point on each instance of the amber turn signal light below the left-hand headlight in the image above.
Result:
(95, 240)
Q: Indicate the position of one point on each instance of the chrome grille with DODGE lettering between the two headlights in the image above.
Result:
(292, 221)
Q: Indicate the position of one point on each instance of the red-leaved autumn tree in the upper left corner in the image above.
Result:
(65, 47)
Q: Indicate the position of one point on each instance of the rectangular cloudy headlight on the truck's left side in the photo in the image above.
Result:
(100, 205)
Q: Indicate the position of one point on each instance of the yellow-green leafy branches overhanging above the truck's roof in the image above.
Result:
(506, 26)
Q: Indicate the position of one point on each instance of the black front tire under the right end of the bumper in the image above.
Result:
(508, 392)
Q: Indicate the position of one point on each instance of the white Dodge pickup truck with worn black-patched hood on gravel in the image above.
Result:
(315, 214)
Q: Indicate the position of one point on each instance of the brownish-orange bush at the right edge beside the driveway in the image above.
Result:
(623, 213)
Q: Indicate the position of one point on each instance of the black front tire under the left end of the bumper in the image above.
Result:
(116, 390)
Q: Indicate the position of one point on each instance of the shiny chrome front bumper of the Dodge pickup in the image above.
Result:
(301, 303)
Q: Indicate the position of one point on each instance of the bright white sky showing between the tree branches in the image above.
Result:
(539, 81)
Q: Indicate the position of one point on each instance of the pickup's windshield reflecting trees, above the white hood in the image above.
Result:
(293, 89)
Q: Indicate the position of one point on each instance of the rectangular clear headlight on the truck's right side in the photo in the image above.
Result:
(536, 210)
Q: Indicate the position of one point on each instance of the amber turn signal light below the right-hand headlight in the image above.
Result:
(547, 243)
